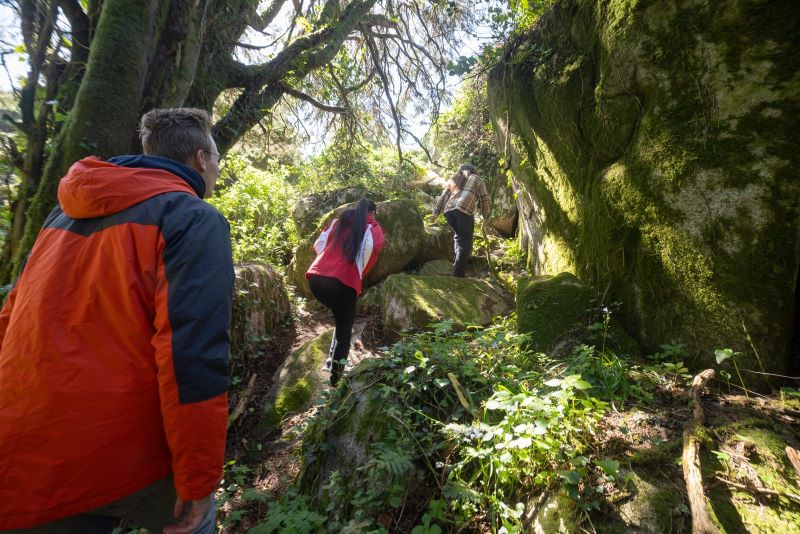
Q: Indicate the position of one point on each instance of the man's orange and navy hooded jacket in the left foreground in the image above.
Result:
(114, 344)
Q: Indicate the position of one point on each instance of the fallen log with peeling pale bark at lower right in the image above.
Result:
(701, 519)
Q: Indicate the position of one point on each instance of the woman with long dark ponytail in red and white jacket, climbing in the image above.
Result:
(346, 251)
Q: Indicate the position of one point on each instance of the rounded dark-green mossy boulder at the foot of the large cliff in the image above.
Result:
(549, 307)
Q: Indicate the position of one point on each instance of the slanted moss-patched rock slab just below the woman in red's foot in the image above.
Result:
(298, 381)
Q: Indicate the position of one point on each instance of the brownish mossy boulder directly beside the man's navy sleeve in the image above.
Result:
(260, 304)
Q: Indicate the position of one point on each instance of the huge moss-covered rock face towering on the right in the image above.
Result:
(653, 152)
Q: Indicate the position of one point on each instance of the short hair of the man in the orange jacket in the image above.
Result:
(176, 133)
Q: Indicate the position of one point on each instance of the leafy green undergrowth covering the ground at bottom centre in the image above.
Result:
(477, 431)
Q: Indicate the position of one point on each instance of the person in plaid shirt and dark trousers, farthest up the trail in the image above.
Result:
(461, 195)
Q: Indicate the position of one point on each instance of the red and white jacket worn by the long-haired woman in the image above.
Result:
(331, 261)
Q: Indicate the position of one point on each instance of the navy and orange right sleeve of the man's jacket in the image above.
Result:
(192, 310)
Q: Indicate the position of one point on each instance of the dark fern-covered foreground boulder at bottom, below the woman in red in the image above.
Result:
(355, 448)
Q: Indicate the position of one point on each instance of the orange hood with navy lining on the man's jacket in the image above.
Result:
(96, 188)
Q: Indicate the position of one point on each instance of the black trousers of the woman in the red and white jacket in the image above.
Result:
(341, 300)
